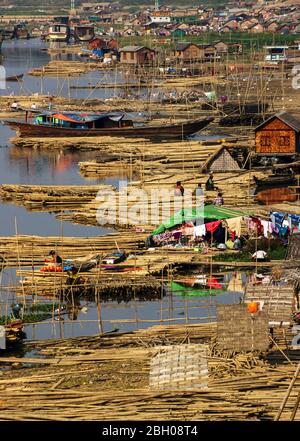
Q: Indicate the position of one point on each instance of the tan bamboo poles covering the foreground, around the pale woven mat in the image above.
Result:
(112, 383)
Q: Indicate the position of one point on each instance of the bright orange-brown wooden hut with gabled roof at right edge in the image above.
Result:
(278, 135)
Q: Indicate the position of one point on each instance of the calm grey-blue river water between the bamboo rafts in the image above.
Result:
(25, 166)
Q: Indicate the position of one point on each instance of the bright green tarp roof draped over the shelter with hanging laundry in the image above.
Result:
(209, 213)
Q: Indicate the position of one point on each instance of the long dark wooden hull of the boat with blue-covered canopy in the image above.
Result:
(166, 132)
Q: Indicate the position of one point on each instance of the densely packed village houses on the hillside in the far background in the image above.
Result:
(252, 17)
